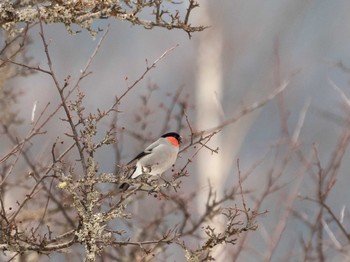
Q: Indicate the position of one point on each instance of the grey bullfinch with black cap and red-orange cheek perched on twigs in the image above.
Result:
(156, 158)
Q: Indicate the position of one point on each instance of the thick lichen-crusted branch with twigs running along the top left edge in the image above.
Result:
(147, 13)
